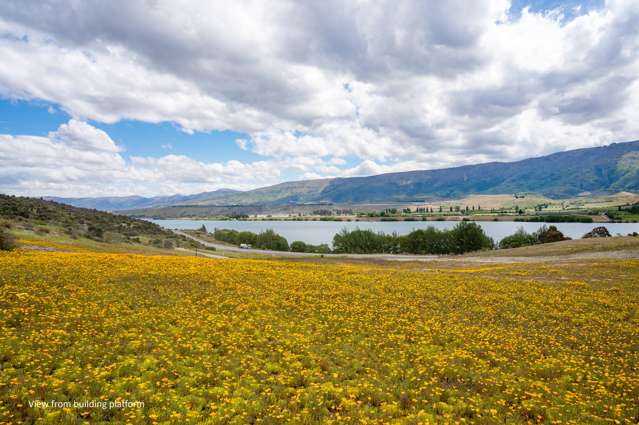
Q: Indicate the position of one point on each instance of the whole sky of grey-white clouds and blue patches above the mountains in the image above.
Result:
(117, 99)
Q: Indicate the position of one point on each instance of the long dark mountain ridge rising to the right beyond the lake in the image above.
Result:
(606, 169)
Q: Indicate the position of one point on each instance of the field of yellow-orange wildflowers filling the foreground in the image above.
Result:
(246, 341)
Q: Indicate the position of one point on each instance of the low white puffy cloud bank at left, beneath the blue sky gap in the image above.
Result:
(79, 159)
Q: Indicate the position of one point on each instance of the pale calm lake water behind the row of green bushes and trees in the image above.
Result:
(318, 232)
